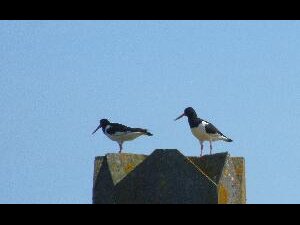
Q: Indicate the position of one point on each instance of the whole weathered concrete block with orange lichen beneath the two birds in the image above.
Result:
(167, 176)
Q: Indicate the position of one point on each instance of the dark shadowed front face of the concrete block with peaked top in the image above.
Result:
(166, 176)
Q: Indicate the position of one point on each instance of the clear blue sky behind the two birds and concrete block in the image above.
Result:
(58, 78)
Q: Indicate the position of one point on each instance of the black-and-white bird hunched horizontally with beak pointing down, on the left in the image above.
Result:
(120, 133)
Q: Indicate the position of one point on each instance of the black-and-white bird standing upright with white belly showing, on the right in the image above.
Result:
(202, 129)
